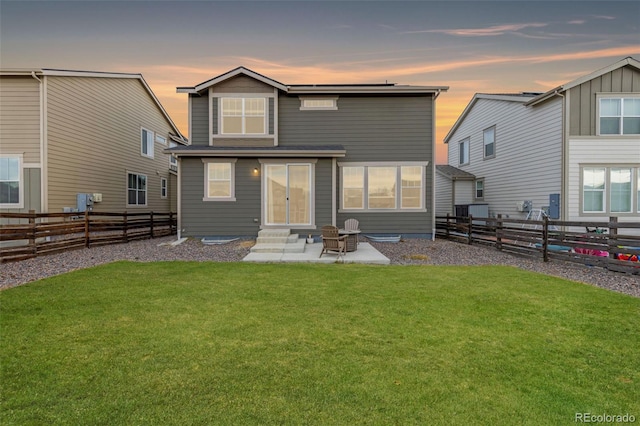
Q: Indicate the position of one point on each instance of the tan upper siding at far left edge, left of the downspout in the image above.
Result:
(20, 117)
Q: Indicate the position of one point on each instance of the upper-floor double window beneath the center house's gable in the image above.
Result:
(243, 116)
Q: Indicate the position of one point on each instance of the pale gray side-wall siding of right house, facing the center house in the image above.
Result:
(528, 153)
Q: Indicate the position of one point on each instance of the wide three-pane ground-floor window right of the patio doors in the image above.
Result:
(383, 187)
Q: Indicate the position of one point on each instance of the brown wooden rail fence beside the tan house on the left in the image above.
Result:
(27, 235)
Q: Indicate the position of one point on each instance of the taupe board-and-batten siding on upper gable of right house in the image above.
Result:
(583, 101)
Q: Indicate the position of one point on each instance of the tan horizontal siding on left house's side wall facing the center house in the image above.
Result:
(94, 139)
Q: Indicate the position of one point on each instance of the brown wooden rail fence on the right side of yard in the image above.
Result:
(612, 244)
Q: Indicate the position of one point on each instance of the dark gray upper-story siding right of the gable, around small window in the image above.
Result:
(370, 128)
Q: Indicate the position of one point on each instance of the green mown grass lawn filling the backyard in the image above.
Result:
(232, 343)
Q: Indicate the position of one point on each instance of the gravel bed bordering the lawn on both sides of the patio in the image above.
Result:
(407, 252)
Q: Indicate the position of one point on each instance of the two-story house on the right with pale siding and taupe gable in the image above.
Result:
(574, 150)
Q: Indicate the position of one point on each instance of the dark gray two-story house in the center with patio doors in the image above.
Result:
(268, 155)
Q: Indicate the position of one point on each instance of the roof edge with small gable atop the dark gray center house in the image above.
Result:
(299, 89)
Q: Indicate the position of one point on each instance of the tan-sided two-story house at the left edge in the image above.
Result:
(64, 133)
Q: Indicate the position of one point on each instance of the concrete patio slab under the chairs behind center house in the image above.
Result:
(366, 253)
